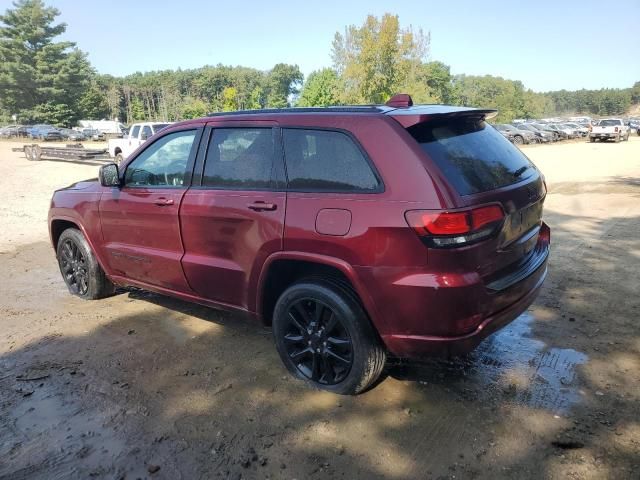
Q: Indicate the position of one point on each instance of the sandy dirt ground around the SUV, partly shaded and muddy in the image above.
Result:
(144, 386)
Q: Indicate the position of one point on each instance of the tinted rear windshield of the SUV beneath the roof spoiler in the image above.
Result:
(473, 156)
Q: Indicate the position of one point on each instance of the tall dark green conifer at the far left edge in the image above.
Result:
(39, 76)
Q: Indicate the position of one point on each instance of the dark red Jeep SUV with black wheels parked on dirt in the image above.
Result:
(356, 232)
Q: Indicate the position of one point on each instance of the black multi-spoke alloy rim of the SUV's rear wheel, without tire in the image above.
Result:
(317, 342)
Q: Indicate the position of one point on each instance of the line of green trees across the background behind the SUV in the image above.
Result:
(49, 81)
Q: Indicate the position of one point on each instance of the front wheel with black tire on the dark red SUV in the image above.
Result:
(80, 270)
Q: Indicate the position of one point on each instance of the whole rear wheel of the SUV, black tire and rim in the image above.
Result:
(325, 338)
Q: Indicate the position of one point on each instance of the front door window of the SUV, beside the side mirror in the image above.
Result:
(163, 163)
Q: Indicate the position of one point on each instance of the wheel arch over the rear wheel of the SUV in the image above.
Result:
(282, 269)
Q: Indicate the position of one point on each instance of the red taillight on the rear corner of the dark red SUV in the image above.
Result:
(444, 229)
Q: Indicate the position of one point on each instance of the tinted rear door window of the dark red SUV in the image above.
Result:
(239, 158)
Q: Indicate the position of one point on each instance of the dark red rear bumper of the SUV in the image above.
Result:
(451, 313)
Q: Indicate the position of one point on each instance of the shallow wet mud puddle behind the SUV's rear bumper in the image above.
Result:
(510, 365)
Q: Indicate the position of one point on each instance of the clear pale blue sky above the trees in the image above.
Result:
(548, 45)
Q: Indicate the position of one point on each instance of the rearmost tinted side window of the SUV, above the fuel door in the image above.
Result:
(325, 160)
